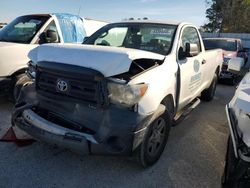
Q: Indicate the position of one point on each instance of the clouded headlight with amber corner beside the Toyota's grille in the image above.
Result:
(126, 95)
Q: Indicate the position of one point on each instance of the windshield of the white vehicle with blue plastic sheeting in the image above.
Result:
(22, 29)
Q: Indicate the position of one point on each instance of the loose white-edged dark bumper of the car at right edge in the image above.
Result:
(238, 144)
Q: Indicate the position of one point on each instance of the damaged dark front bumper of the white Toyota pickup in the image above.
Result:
(117, 131)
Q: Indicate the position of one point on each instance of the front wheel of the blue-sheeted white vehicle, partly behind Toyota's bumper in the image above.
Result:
(21, 80)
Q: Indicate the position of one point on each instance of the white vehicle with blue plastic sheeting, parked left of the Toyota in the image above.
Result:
(27, 32)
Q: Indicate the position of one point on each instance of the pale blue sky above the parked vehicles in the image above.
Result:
(109, 10)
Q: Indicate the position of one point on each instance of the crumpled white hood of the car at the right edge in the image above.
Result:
(241, 107)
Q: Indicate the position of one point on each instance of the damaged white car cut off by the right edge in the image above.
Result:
(237, 164)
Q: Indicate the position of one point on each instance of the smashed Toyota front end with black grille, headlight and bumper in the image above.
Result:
(78, 108)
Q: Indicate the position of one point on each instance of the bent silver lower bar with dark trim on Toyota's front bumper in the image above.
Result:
(49, 132)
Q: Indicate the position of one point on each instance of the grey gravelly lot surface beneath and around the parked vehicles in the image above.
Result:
(193, 157)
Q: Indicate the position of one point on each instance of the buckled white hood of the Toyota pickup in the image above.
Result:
(109, 61)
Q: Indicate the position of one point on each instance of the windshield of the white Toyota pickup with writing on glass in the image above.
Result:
(155, 38)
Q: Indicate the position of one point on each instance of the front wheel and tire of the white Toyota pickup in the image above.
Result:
(154, 141)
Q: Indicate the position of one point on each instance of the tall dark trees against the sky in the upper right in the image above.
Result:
(228, 16)
